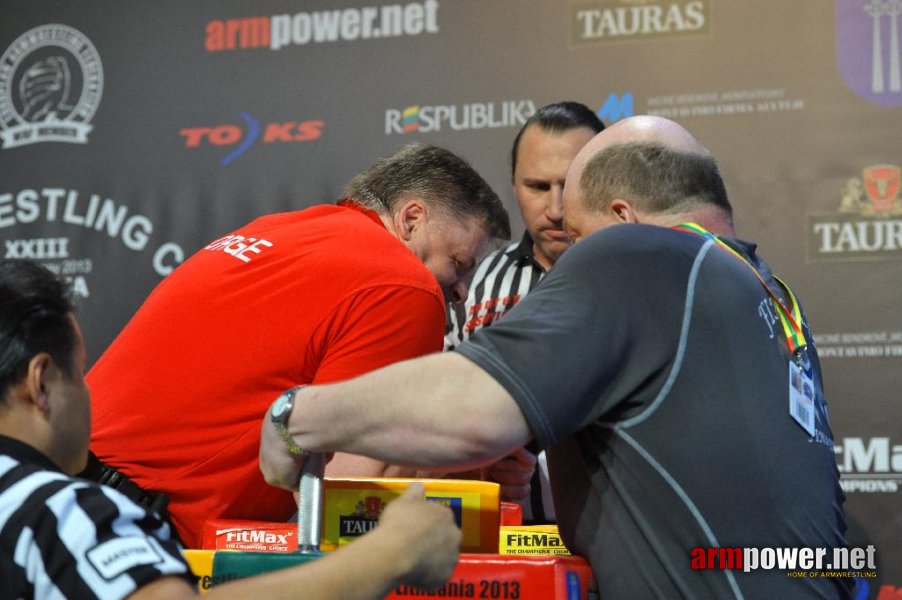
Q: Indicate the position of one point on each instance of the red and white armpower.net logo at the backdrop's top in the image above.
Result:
(340, 25)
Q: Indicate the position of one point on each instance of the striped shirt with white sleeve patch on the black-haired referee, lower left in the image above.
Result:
(62, 537)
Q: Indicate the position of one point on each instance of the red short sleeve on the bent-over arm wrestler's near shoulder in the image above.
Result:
(376, 327)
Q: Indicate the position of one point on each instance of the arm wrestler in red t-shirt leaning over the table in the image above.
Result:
(313, 296)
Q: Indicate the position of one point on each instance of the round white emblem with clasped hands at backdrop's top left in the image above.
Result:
(51, 80)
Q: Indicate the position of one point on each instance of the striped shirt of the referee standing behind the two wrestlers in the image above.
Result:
(500, 281)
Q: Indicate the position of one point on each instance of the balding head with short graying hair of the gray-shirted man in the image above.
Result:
(645, 169)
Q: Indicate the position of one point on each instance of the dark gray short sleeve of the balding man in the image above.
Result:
(573, 350)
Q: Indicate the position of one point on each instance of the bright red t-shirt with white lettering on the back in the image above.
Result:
(312, 296)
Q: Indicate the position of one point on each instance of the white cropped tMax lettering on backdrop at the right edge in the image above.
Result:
(869, 464)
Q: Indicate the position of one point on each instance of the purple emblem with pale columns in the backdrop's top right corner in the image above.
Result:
(867, 48)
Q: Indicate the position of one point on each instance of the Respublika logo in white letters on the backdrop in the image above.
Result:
(458, 117)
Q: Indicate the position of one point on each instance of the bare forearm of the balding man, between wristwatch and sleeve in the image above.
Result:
(440, 410)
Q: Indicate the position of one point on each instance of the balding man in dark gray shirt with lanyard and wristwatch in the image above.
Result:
(655, 364)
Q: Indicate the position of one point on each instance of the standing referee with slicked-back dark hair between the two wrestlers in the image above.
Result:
(540, 157)
